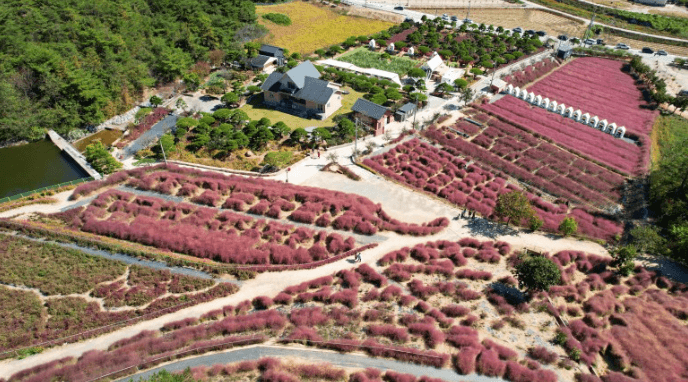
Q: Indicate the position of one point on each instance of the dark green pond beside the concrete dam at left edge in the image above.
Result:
(35, 165)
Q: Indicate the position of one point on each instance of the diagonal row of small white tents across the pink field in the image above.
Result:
(568, 112)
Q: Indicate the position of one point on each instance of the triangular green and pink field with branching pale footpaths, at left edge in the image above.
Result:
(49, 292)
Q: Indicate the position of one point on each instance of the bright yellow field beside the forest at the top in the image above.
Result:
(314, 27)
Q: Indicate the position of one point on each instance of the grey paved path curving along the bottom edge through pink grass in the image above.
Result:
(312, 355)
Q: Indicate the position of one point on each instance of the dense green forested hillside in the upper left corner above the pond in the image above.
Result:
(66, 64)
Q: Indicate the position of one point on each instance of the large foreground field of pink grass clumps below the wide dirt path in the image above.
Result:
(437, 302)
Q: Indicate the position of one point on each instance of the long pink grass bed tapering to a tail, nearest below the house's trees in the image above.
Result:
(276, 200)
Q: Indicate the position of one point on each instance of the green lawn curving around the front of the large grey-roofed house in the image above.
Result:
(256, 110)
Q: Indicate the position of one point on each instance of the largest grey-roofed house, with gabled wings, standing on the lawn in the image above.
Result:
(301, 91)
